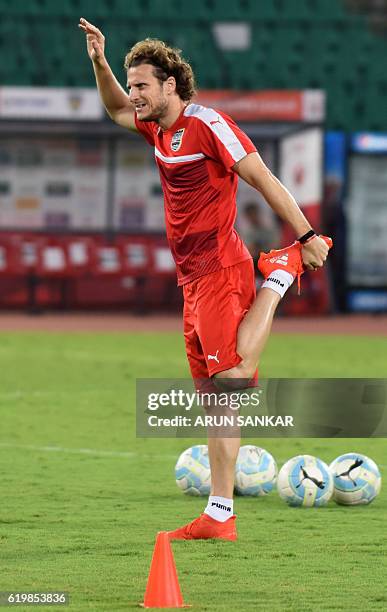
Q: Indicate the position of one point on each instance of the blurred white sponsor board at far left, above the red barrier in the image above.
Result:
(53, 183)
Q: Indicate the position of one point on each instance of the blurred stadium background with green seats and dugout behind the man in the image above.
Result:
(310, 68)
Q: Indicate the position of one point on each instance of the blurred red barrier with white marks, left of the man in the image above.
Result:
(87, 271)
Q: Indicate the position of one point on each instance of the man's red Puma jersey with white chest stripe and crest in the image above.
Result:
(195, 156)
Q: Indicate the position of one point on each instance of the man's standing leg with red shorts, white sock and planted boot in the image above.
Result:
(216, 323)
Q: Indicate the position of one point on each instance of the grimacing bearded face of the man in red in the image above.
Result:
(147, 93)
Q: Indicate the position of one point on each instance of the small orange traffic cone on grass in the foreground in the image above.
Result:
(163, 589)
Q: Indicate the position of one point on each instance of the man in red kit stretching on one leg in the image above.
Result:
(200, 152)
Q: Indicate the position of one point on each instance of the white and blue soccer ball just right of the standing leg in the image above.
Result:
(255, 471)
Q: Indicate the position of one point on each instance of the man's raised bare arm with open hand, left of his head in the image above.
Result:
(113, 96)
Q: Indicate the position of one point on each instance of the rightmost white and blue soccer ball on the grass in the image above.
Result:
(356, 479)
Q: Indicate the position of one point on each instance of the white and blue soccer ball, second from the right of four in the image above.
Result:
(305, 481)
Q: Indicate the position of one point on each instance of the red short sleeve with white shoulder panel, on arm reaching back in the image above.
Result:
(222, 140)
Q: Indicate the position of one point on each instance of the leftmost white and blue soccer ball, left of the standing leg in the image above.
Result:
(192, 471)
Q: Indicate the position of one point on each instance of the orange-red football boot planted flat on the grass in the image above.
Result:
(206, 528)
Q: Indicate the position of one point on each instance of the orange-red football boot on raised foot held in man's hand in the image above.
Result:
(288, 259)
